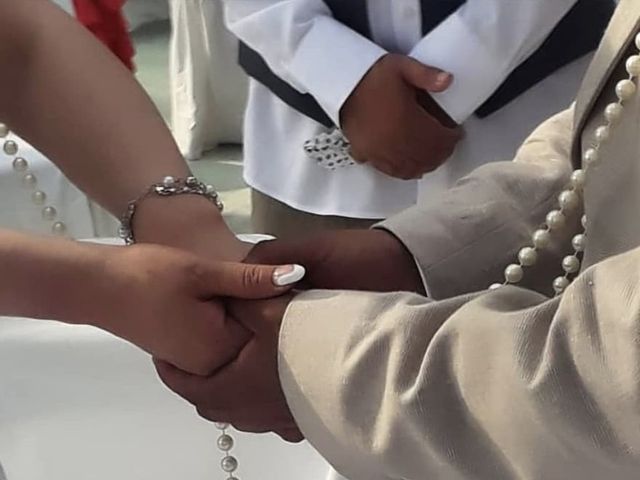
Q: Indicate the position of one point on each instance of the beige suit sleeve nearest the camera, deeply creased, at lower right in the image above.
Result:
(499, 385)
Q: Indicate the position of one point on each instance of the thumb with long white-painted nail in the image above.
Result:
(241, 280)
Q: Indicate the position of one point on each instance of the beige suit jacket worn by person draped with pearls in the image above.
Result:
(508, 384)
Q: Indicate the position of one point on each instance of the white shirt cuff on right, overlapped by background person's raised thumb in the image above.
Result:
(478, 71)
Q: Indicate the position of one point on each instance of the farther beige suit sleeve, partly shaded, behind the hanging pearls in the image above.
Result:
(463, 242)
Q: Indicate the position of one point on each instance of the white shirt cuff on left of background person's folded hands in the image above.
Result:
(330, 62)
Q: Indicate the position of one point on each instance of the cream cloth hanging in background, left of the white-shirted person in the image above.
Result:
(208, 88)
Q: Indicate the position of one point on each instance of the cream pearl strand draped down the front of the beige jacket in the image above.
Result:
(571, 200)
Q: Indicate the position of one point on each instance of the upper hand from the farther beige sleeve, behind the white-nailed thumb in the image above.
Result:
(371, 260)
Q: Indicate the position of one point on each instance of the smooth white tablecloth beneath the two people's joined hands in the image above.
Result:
(77, 403)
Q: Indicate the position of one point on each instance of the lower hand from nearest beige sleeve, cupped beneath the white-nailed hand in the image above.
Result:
(247, 392)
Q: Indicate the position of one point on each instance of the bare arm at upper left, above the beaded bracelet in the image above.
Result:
(66, 94)
